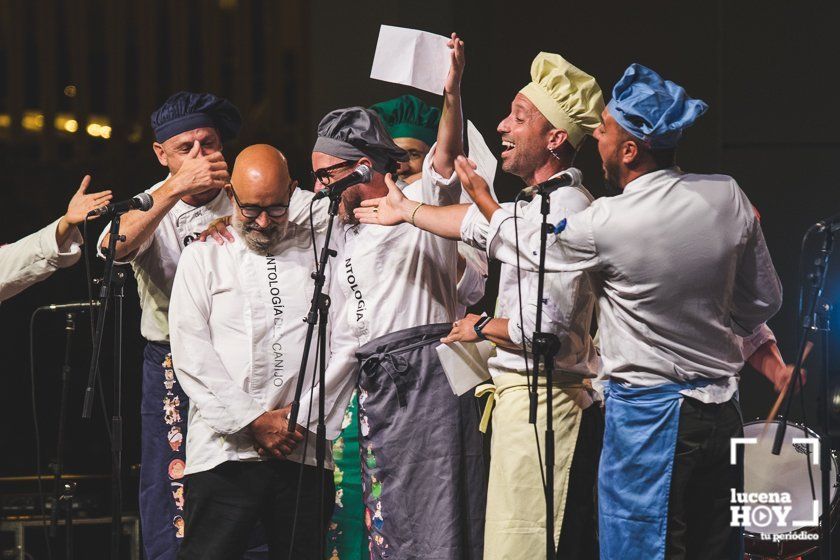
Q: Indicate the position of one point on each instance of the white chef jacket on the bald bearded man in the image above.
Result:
(237, 335)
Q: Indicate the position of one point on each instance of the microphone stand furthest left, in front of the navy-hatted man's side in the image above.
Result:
(111, 287)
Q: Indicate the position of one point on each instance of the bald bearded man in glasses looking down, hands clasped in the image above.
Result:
(237, 334)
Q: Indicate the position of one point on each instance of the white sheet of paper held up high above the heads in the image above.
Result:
(411, 57)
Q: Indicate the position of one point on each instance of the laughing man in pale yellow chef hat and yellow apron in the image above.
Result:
(548, 121)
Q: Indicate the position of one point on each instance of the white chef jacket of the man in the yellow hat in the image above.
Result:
(568, 296)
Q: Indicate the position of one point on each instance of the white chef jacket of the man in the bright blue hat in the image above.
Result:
(681, 270)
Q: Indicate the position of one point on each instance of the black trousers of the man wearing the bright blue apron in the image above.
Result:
(699, 514)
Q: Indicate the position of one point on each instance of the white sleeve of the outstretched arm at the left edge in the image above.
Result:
(33, 258)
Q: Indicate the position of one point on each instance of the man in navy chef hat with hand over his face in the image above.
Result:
(190, 130)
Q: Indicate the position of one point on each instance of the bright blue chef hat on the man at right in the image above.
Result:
(651, 108)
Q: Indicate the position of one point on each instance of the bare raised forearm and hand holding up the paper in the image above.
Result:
(450, 139)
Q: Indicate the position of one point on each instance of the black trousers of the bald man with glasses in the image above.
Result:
(224, 504)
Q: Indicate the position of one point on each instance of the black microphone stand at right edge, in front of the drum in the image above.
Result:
(816, 319)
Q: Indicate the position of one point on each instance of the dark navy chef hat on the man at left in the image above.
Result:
(187, 111)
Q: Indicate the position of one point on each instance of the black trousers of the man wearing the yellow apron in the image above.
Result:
(578, 535)
